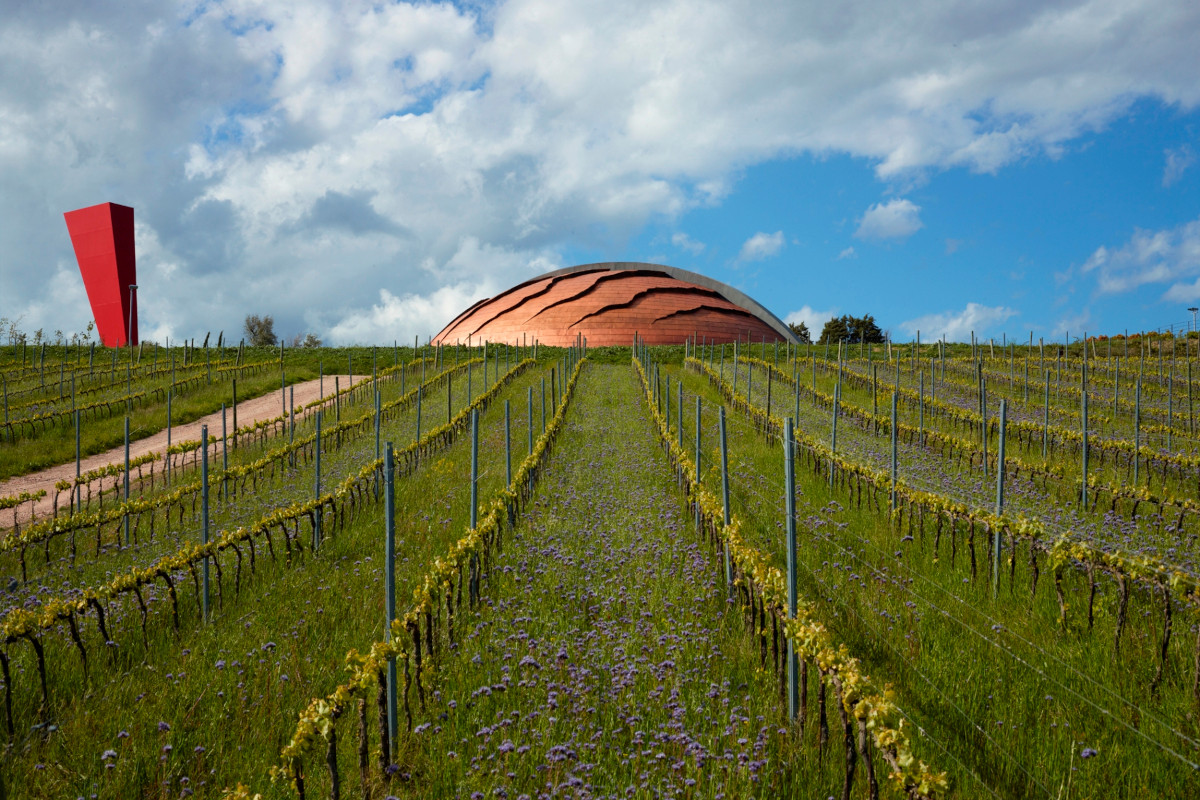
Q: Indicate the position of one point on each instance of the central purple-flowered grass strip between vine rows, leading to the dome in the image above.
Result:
(605, 660)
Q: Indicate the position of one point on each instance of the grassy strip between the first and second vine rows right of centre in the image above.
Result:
(1010, 690)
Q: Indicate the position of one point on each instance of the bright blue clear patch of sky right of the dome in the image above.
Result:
(1016, 239)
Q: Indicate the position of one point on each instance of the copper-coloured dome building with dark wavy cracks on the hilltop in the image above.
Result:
(609, 303)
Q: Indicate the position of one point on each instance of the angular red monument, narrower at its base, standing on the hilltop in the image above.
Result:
(103, 237)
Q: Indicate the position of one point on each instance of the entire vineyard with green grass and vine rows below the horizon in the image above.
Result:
(698, 572)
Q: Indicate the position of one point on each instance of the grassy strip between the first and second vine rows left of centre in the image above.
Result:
(227, 693)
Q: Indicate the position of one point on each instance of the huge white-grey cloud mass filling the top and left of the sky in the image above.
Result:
(333, 151)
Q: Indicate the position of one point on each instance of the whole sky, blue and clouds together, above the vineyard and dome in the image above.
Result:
(364, 171)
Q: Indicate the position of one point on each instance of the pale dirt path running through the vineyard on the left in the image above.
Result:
(249, 412)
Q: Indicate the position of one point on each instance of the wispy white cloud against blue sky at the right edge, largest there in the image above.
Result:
(1171, 256)
